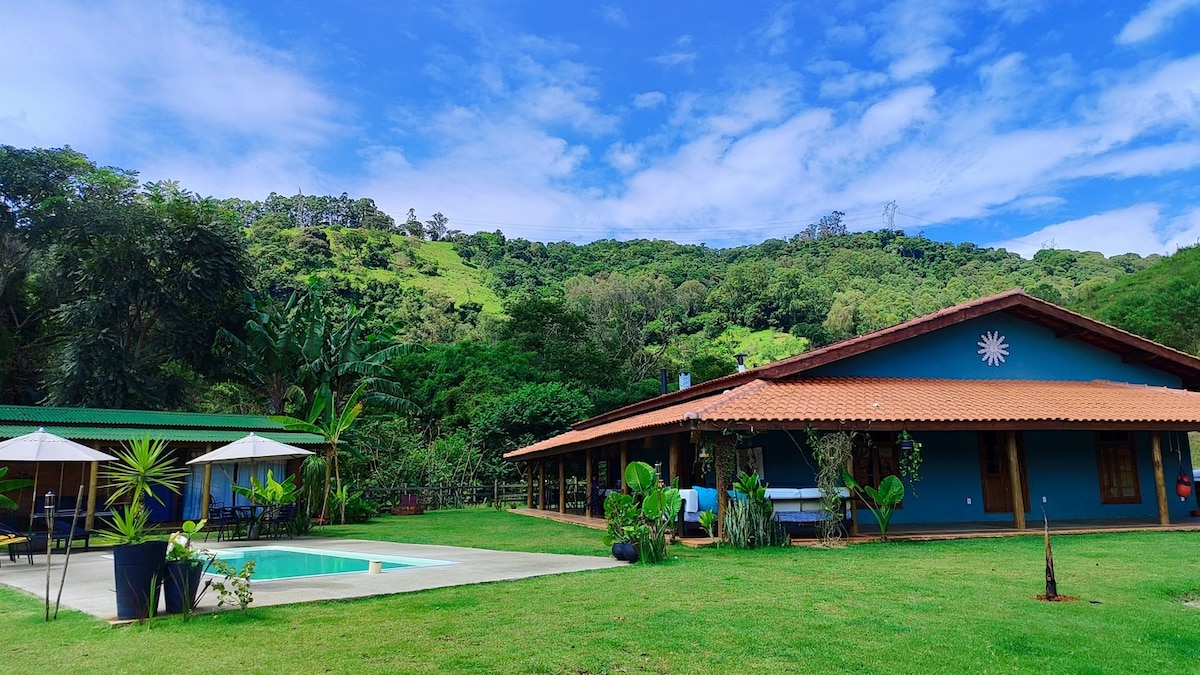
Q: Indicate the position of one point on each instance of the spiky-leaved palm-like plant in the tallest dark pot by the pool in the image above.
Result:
(142, 467)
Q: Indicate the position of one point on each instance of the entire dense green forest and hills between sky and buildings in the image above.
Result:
(116, 294)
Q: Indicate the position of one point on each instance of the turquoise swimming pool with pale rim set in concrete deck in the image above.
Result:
(292, 563)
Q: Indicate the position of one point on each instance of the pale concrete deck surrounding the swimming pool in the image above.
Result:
(89, 584)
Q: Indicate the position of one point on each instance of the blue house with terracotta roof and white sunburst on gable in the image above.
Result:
(1019, 407)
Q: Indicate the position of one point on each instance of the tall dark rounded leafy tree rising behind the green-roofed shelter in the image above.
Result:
(152, 278)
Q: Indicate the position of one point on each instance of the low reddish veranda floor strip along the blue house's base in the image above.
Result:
(933, 533)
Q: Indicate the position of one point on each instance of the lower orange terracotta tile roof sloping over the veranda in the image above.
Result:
(883, 402)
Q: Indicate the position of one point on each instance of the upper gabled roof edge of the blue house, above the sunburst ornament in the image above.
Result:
(1130, 347)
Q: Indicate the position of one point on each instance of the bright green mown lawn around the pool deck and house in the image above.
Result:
(944, 607)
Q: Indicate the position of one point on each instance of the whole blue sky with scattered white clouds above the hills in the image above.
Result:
(1011, 123)
